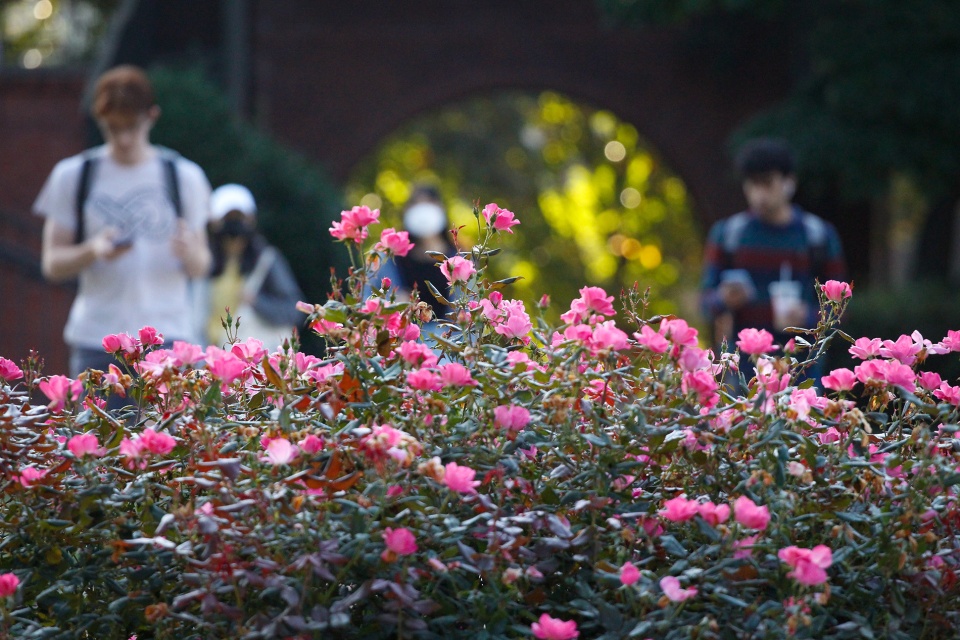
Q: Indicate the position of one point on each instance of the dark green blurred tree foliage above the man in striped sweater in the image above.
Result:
(876, 88)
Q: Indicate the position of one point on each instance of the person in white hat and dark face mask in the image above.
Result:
(249, 277)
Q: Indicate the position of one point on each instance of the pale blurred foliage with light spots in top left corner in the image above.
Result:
(36, 33)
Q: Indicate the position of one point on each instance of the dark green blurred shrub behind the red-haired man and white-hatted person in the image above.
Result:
(296, 201)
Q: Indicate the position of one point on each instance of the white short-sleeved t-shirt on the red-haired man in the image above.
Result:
(147, 285)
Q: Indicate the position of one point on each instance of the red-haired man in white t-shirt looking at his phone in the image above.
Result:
(128, 219)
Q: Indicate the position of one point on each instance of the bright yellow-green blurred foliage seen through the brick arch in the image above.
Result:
(597, 205)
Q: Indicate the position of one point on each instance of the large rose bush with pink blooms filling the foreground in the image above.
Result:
(507, 479)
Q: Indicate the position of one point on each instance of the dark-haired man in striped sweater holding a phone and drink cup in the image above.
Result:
(772, 241)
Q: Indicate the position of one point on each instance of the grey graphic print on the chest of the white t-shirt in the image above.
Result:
(145, 214)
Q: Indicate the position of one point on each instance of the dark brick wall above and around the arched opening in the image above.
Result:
(333, 80)
